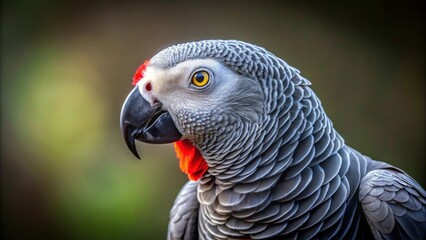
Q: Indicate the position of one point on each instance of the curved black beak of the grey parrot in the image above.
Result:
(140, 121)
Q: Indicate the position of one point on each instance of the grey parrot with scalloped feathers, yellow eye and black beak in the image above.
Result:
(262, 157)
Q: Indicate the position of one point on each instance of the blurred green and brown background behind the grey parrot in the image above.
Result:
(66, 68)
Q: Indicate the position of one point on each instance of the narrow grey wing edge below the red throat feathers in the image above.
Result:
(184, 214)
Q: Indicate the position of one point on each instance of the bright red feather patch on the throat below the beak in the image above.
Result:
(190, 160)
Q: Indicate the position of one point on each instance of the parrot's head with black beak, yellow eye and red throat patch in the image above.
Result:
(206, 97)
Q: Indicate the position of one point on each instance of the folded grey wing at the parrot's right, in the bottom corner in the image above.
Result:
(394, 204)
